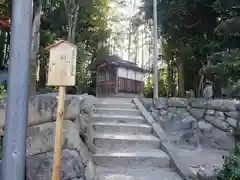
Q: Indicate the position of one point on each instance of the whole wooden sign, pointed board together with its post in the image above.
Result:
(61, 73)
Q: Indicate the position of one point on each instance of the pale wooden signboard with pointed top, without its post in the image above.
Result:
(62, 64)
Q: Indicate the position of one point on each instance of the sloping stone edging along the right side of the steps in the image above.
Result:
(181, 167)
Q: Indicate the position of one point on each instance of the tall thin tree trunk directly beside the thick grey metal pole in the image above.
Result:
(34, 50)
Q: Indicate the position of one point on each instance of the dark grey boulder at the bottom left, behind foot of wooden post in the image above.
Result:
(40, 166)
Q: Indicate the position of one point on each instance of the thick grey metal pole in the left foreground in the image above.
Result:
(17, 105)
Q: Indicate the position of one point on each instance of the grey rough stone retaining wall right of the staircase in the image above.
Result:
(209, 117)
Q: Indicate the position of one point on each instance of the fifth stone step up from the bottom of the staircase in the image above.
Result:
(118, 118)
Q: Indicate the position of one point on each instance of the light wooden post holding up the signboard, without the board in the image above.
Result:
(58, 135)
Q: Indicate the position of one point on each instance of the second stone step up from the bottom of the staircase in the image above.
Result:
(145, 158)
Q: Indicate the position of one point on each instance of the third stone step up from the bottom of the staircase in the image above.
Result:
(117, 141)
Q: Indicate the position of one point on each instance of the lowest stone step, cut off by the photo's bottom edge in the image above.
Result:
(136, 173)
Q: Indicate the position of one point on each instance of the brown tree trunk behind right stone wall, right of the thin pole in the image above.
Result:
(181, 88)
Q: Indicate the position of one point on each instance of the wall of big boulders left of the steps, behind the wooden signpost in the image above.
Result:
(76, 163)
